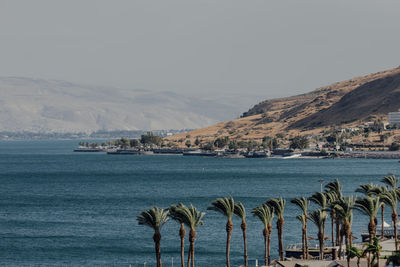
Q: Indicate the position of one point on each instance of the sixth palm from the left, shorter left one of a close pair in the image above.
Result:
(265, 214)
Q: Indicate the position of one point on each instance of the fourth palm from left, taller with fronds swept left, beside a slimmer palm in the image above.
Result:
(225, 206)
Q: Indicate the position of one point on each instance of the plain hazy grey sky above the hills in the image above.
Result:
(261, 47)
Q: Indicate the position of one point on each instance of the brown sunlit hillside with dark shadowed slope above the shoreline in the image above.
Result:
(342, 103)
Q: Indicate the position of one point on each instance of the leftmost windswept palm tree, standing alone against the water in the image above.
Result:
(154, 218)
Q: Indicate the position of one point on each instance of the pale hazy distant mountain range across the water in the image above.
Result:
(38, 105)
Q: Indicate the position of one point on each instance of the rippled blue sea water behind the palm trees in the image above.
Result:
(59, 208)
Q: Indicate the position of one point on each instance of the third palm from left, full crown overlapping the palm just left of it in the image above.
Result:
(192, 218)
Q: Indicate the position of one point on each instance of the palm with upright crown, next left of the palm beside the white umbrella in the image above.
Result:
(344, 211)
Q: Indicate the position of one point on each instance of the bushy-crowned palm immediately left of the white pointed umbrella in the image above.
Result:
(369, 206)
